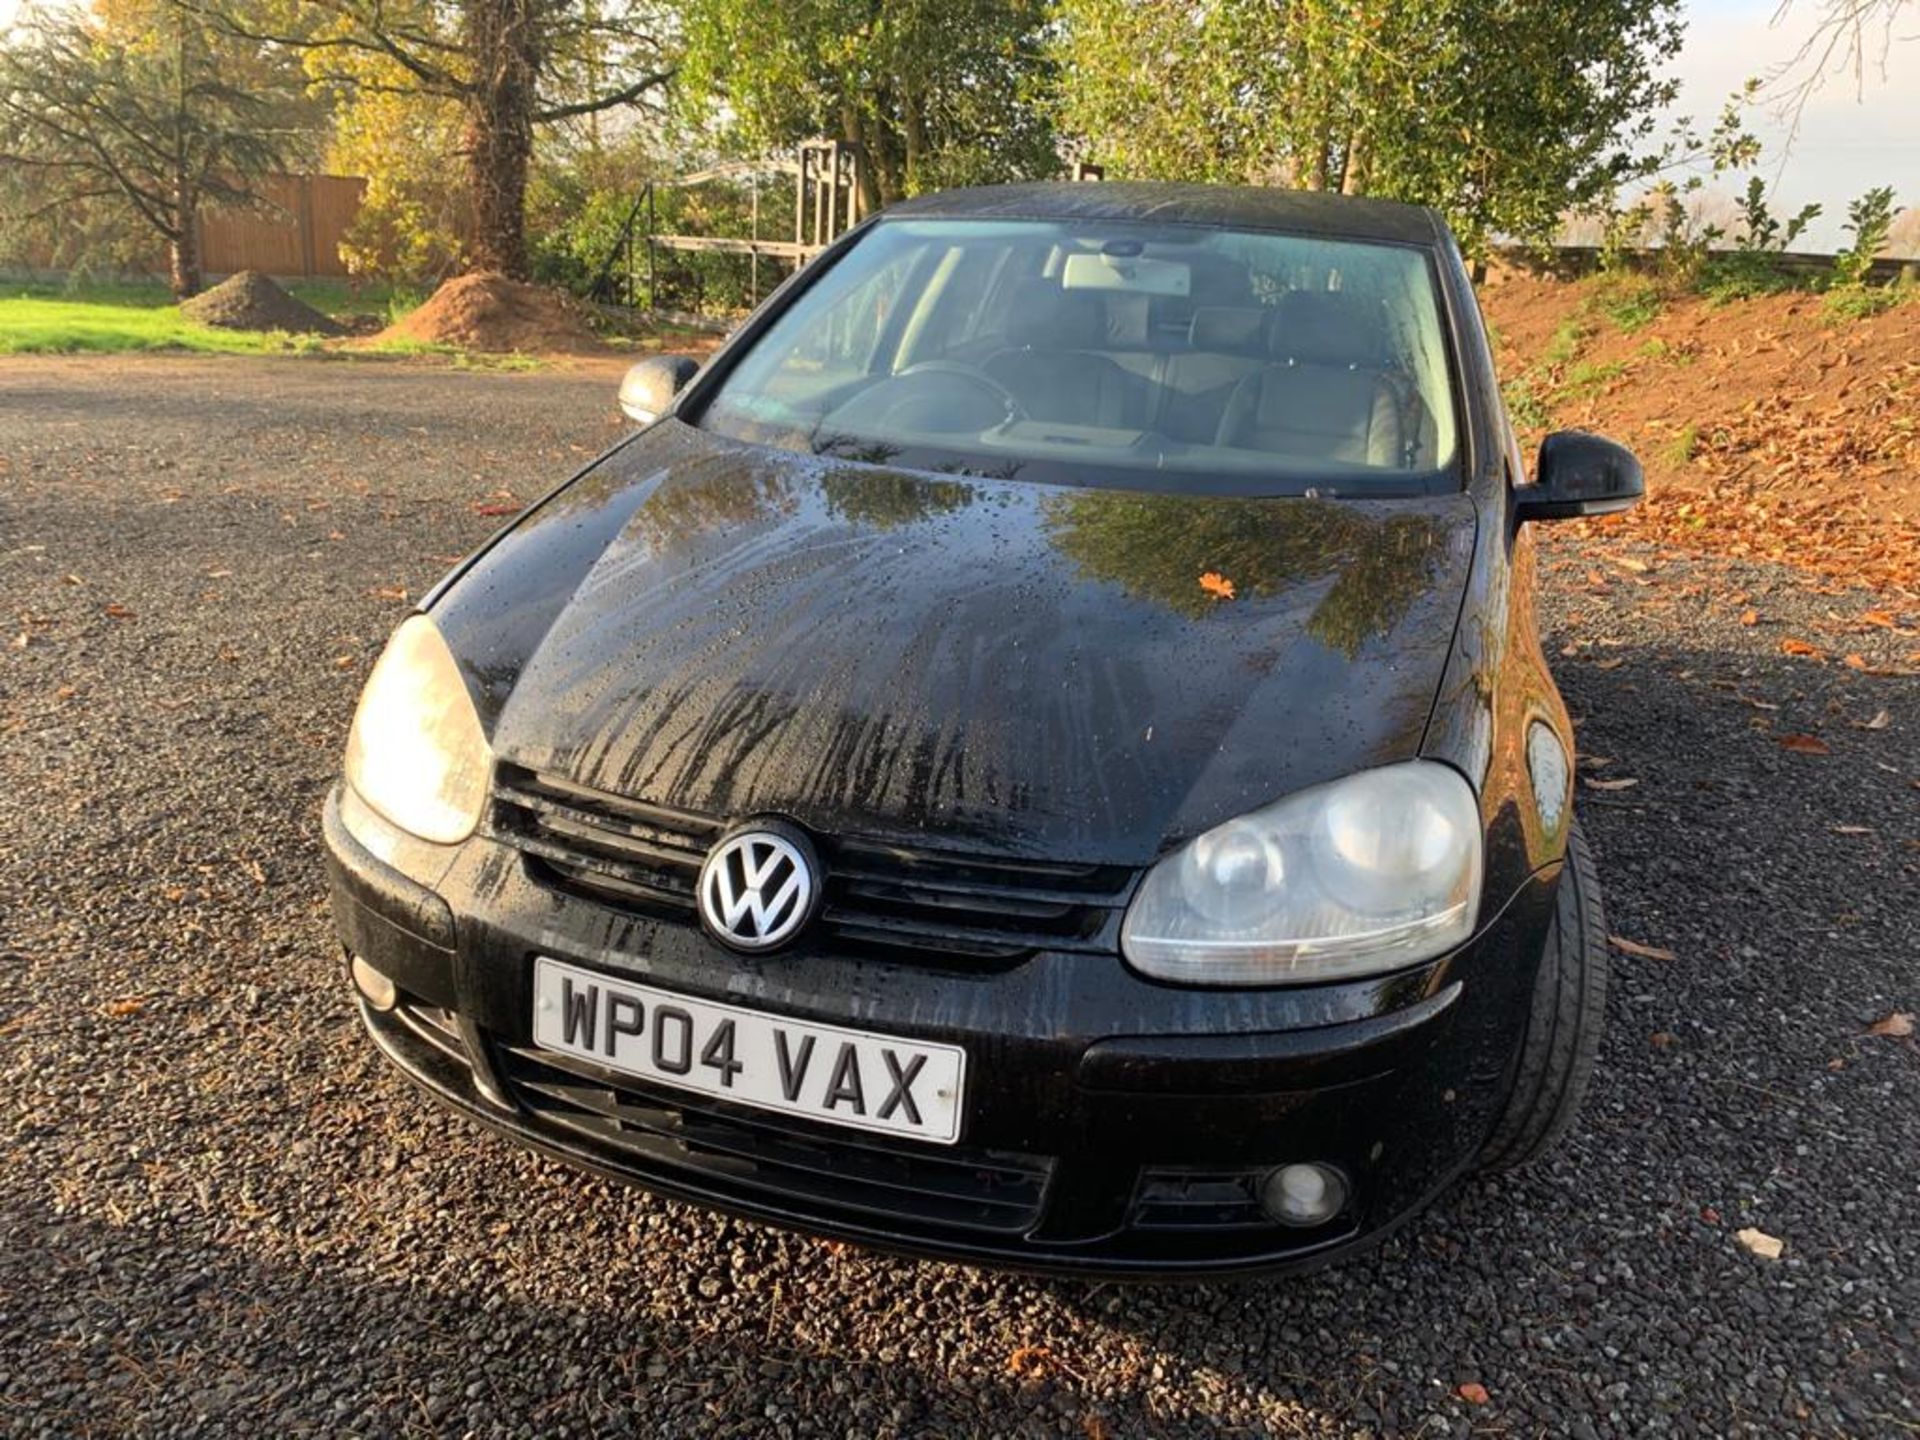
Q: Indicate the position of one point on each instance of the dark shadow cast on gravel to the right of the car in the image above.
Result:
(1737, 1090)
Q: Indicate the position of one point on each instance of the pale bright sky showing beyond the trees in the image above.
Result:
(1850, 137)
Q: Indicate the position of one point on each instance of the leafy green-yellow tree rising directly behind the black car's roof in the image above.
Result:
(1500, 116)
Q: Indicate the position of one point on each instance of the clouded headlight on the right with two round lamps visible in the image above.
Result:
(1355, 878)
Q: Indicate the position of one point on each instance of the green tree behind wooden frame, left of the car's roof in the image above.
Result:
(934, 93)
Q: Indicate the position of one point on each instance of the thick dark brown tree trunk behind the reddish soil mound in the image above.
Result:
(500, 130)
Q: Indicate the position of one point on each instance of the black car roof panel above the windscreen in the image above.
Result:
(1218, 206)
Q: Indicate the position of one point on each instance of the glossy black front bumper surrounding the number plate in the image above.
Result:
(1115, 1126)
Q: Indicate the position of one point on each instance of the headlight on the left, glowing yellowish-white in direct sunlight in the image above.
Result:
(418, 754)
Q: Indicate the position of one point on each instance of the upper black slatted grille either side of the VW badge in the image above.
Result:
(926, 905)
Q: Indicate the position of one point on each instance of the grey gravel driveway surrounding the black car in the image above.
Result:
(222, 1214)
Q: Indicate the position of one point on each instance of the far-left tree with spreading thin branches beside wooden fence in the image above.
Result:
(147, 108)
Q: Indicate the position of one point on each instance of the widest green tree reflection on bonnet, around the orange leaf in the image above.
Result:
(1159, 548)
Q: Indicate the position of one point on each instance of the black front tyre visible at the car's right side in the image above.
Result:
(1564, 1028)
